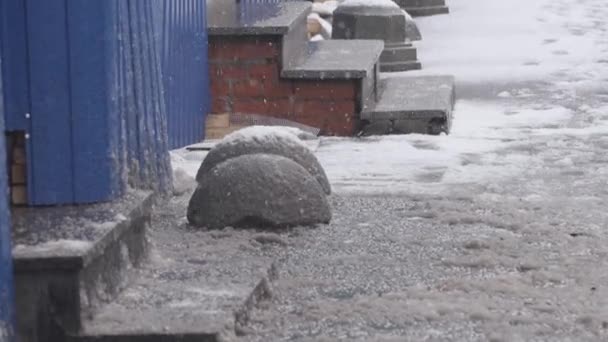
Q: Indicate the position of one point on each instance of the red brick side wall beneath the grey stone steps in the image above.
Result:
(245, 78)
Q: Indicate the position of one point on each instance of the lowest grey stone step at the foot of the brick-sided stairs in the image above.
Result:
(412, 104)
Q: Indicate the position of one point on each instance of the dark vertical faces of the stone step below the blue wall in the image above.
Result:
(73, 292)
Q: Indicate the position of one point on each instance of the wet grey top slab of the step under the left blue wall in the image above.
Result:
(69, 237)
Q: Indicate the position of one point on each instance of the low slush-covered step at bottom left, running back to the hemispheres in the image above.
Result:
(199, 285)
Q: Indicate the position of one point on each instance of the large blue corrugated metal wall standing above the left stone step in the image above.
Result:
(103, 89)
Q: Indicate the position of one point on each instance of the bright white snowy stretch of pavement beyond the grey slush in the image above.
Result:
(525, 79)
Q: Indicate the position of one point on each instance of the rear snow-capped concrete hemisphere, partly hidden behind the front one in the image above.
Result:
(282, 141)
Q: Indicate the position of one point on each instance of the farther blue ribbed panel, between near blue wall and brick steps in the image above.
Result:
(185, 69)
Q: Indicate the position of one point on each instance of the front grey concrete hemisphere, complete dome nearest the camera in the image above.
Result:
(258, 190)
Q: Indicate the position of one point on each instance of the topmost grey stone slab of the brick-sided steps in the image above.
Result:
(236, 18)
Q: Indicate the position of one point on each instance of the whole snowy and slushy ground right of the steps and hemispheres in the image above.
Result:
(496, 232)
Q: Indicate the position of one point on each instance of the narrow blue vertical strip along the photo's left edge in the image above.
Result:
(6, 270)
